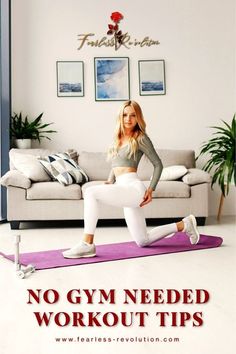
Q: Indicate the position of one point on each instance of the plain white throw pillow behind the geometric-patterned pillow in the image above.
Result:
(30, 167)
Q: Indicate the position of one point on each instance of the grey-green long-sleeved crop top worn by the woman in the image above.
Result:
(146, 148)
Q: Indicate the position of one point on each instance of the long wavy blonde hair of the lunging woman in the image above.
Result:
(137, 134)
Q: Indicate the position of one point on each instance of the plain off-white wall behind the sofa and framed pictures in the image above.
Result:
(197, 43)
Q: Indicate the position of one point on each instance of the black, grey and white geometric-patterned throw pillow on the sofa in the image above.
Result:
(62, 168)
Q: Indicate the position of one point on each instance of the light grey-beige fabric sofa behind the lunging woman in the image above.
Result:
(49, 200)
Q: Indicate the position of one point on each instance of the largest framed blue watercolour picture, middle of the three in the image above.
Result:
(111, 79)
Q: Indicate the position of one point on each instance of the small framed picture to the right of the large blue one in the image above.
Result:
(152, 77)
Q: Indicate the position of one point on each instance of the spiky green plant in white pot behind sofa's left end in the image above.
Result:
(24, 130)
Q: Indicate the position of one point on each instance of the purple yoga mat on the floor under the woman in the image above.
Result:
(118, 251)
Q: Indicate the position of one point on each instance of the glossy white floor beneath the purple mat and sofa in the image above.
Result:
(213, 270)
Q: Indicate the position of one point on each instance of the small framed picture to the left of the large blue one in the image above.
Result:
(70, 78)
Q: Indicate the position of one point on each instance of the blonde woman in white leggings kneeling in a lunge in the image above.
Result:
(131, 142)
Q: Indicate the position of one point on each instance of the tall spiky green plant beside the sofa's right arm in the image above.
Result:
(222, 158)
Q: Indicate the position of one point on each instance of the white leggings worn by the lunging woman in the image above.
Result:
(127, 192)
